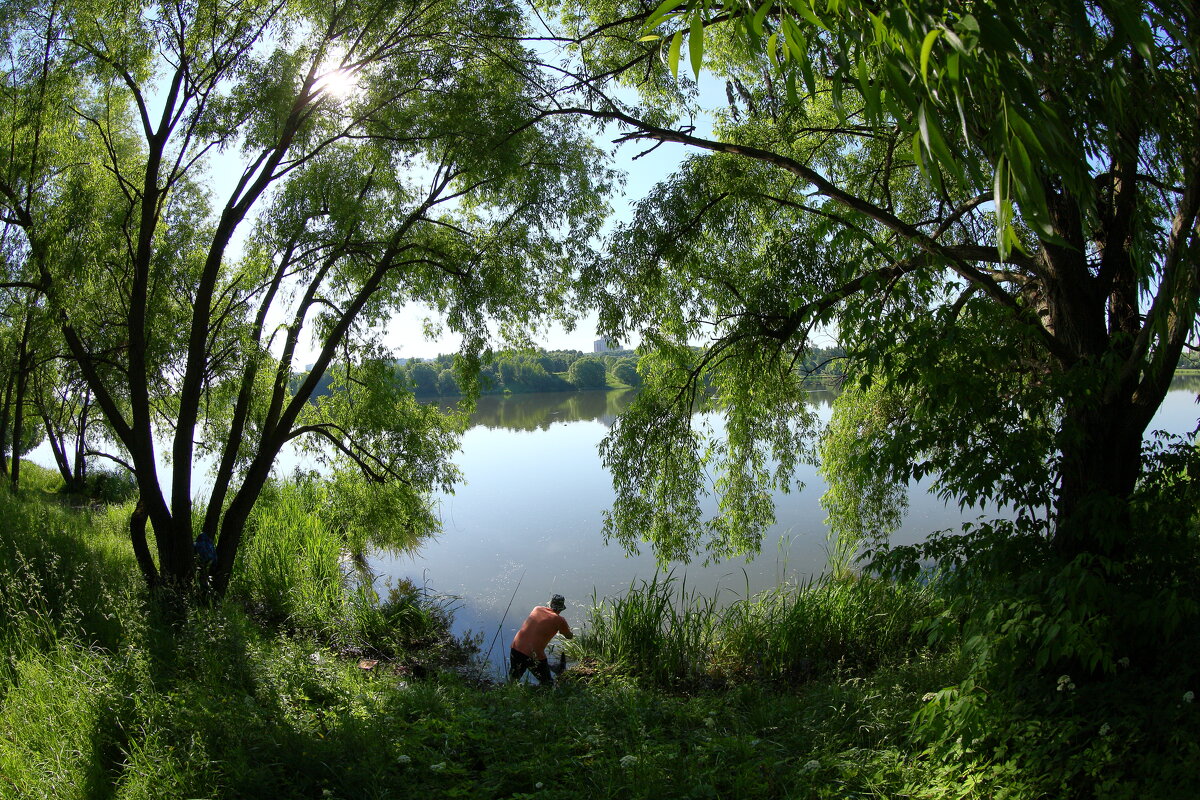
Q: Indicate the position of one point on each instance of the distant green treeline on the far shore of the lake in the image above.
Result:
(549, 371)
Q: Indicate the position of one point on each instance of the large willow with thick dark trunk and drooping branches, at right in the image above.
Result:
(993, 204)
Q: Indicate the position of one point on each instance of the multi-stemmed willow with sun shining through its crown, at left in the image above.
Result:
(208, 190)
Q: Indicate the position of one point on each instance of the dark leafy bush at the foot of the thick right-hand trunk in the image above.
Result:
(1081, 675)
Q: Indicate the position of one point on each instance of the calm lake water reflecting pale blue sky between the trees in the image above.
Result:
(527, 521)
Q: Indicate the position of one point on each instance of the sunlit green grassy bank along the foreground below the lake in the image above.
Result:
(803, 693)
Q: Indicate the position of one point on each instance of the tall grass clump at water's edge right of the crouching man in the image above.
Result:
(665, 635)
